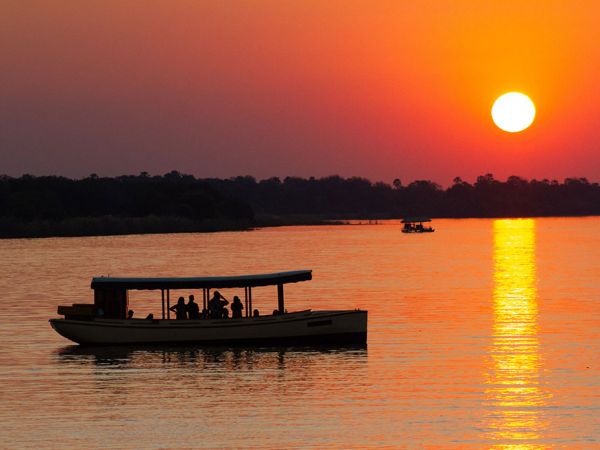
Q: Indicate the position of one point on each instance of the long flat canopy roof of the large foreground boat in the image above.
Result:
(267, 279)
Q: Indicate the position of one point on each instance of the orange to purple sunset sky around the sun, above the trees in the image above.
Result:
(380, 89)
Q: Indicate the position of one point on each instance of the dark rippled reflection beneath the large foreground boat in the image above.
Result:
(249, 382)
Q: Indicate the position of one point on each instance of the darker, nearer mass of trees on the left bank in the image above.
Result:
(58, 206)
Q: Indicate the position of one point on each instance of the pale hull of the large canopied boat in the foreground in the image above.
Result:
(304, 326)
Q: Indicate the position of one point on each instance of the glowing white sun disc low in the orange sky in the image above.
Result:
(513, 112)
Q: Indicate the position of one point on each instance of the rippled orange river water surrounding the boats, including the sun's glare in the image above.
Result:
(484, 334)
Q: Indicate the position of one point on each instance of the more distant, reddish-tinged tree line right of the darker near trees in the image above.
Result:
(337, 197)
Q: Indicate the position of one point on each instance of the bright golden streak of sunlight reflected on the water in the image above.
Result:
(515, 399)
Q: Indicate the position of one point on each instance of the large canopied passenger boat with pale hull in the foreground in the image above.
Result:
(106, 322)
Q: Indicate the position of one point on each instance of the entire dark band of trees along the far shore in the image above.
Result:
(52, 206)
